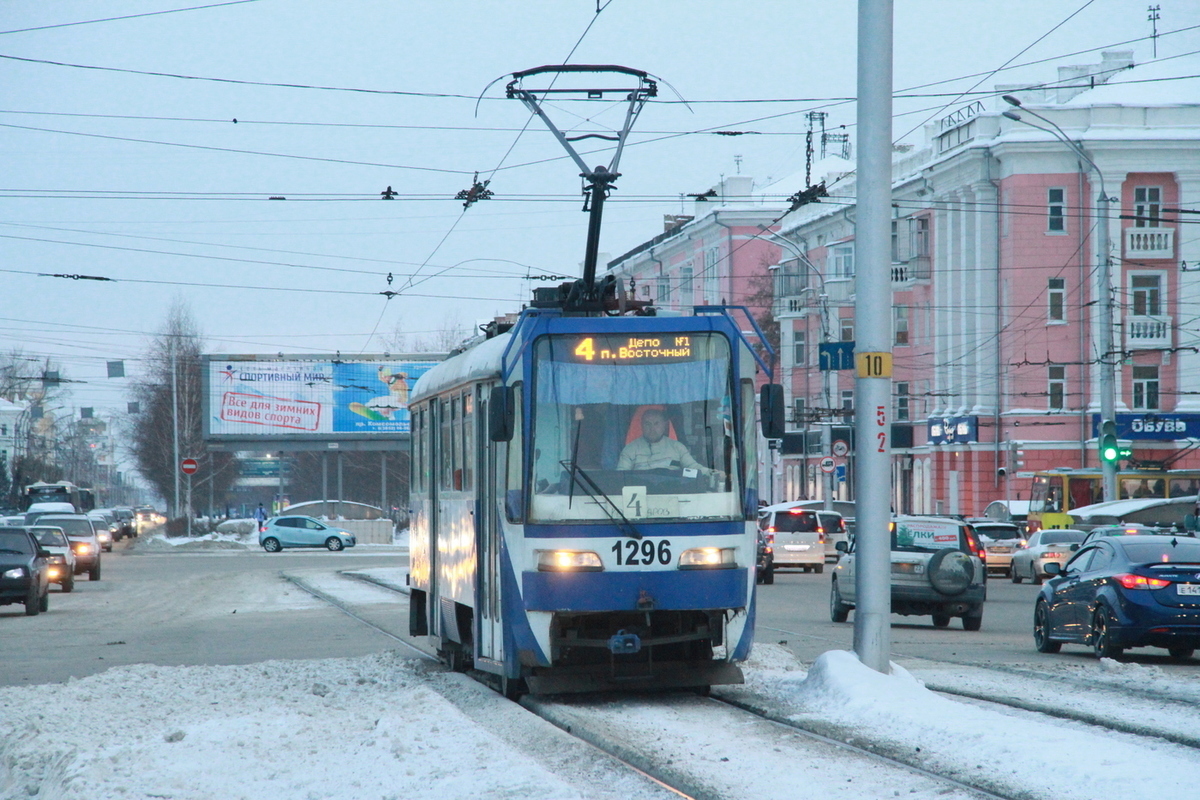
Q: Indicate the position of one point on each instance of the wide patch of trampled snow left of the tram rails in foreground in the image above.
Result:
(373, 727)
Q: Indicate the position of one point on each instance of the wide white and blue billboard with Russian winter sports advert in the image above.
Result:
(309, 398)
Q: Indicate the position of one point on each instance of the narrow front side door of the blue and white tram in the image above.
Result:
(488, 531)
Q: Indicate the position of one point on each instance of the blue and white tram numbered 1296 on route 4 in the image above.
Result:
(535, 557)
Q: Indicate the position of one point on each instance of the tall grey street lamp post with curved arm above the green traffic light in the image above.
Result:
(1105, 279)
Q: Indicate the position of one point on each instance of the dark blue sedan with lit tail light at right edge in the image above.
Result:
(1124, 592)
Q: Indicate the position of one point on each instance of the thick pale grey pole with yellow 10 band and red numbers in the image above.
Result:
(873, 335)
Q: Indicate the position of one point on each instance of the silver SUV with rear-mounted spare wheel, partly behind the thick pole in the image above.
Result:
(938, 569)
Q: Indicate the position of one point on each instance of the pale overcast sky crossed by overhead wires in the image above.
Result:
(146, 179)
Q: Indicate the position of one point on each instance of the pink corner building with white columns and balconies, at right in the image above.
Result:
(995, 287)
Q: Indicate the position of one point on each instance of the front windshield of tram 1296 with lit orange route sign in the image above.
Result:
(634, 428)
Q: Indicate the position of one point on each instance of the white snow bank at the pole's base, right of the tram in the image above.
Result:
(1010, 751)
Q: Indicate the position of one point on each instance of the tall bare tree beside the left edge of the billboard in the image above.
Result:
(172, 392)
